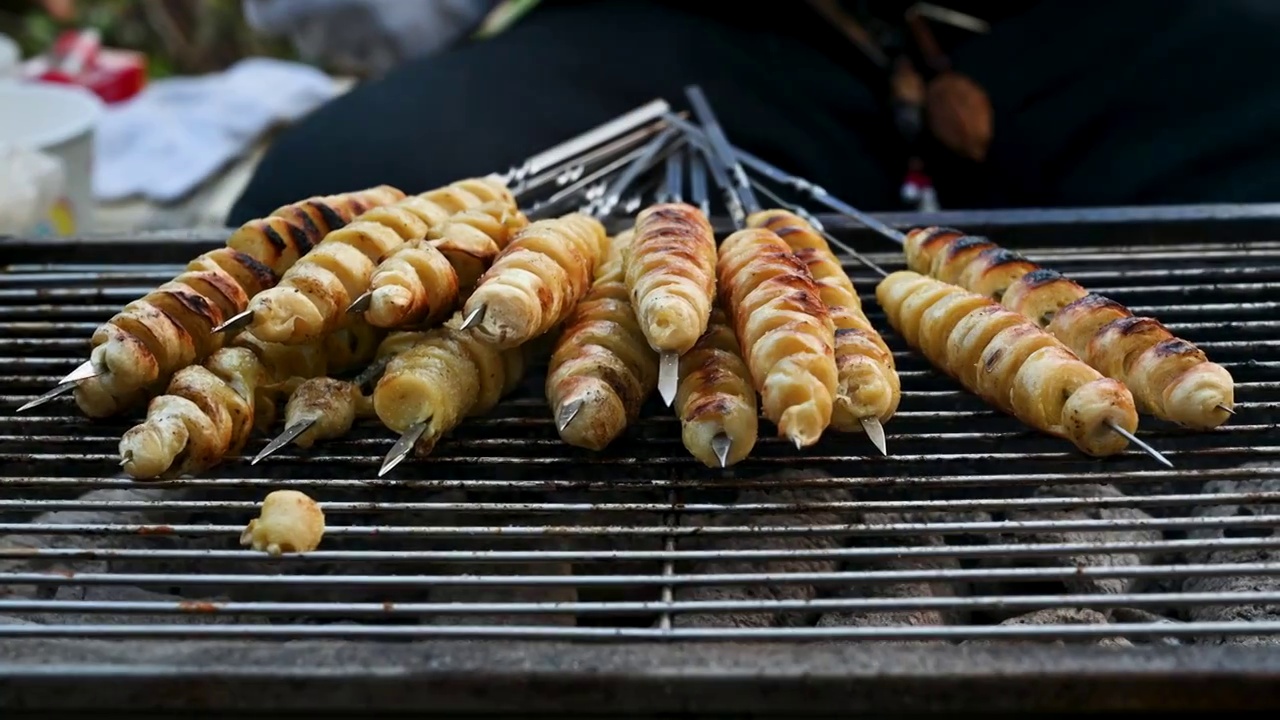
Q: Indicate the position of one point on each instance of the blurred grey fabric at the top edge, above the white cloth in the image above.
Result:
(367, 37)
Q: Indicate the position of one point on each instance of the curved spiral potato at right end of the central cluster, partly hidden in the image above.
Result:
(868, 385)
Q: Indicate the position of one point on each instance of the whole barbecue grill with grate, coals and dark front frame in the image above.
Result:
(980, 566)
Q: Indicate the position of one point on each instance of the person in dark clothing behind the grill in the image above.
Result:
(1135, 103)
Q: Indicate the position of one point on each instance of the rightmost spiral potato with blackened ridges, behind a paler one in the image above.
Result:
(1169, 377)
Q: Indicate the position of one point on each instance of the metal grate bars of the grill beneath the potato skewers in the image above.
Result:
(973, 530)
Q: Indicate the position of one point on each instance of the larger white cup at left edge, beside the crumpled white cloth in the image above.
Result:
(57, 120)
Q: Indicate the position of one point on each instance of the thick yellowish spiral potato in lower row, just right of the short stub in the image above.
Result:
(444, 379)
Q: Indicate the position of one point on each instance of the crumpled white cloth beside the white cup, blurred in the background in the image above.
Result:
(180, 133)
